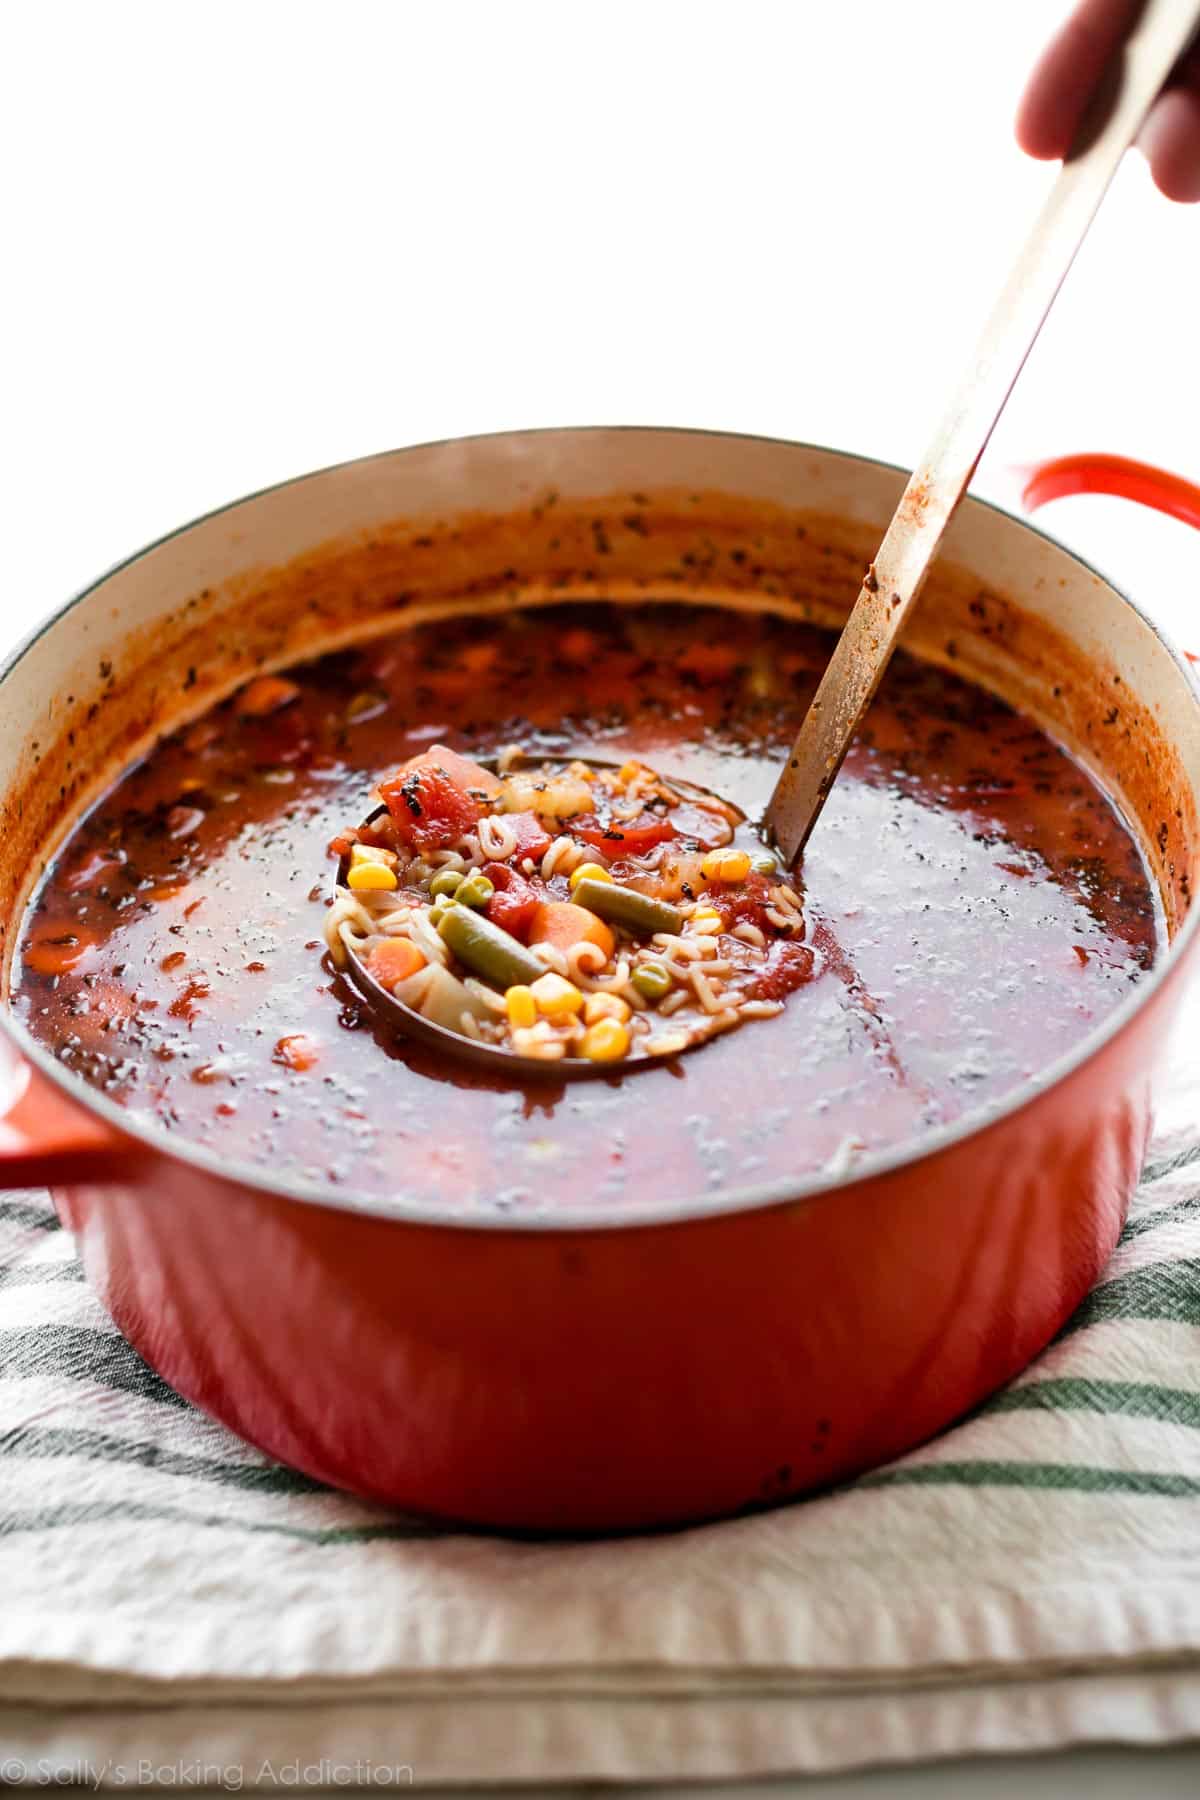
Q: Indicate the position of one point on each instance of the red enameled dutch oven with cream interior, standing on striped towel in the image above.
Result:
(659, 1365)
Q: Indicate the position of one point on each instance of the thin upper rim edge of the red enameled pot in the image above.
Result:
(762, 1196)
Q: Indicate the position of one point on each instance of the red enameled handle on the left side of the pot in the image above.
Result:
(48, 1138)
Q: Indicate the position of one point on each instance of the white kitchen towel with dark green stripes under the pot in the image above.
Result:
(174, 1605)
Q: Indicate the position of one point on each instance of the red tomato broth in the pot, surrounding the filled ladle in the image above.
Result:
(976, 901)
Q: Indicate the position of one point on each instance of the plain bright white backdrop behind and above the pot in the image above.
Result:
(249, 238)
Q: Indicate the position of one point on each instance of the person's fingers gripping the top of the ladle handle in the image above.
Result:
(1068, 75)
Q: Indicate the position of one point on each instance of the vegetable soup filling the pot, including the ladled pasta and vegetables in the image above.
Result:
(569, 818)
